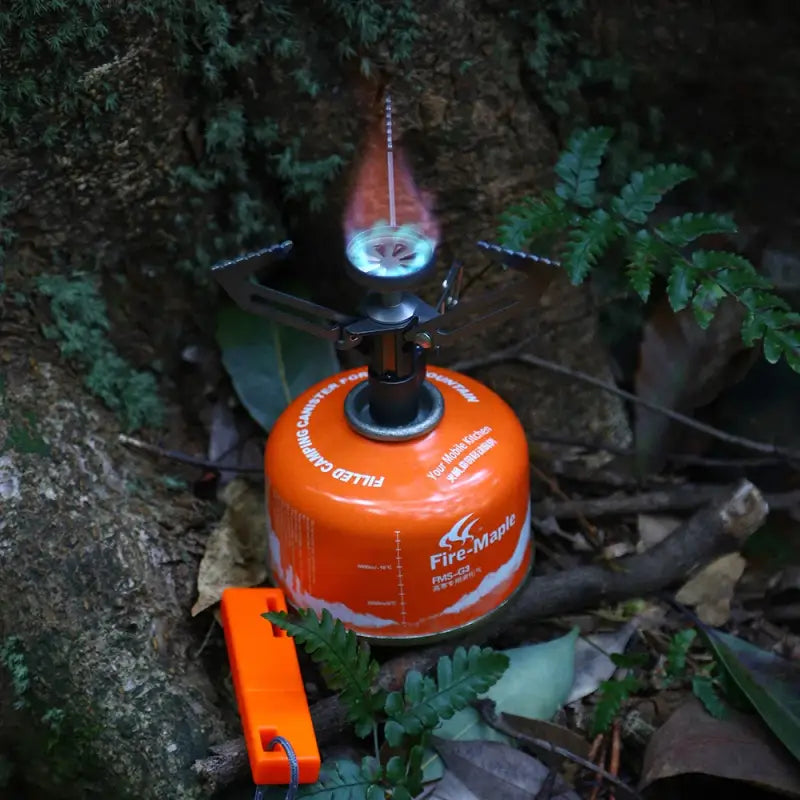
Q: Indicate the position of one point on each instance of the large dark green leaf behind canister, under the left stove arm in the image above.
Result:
(270, 364)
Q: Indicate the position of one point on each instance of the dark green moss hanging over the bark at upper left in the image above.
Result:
(61, 58)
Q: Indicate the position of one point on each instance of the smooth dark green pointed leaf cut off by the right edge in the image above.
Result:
(770, 683)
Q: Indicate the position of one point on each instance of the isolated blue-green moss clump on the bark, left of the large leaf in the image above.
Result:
(81, 326)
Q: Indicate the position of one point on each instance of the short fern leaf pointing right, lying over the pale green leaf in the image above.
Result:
(459, 680)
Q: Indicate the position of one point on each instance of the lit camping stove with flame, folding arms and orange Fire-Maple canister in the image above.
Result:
(398, 495)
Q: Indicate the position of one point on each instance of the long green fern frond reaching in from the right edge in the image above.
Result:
(590, 229)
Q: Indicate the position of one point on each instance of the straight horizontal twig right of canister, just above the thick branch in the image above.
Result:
(681, 498)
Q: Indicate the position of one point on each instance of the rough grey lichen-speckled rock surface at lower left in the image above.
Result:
(97, 570)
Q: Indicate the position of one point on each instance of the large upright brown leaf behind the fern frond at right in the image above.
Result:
(683, 367)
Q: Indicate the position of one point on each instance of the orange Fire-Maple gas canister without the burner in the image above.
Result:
(404, 540)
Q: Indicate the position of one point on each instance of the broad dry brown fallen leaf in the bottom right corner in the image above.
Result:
(737, 748)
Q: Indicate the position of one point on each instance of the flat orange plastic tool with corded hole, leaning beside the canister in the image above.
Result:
(269, 687)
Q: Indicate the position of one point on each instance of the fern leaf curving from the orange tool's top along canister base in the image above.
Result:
(345, 662)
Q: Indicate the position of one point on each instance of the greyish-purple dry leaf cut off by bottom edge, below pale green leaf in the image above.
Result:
(493, 770)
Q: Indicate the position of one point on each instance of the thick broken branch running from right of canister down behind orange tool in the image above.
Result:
(711, 532)
